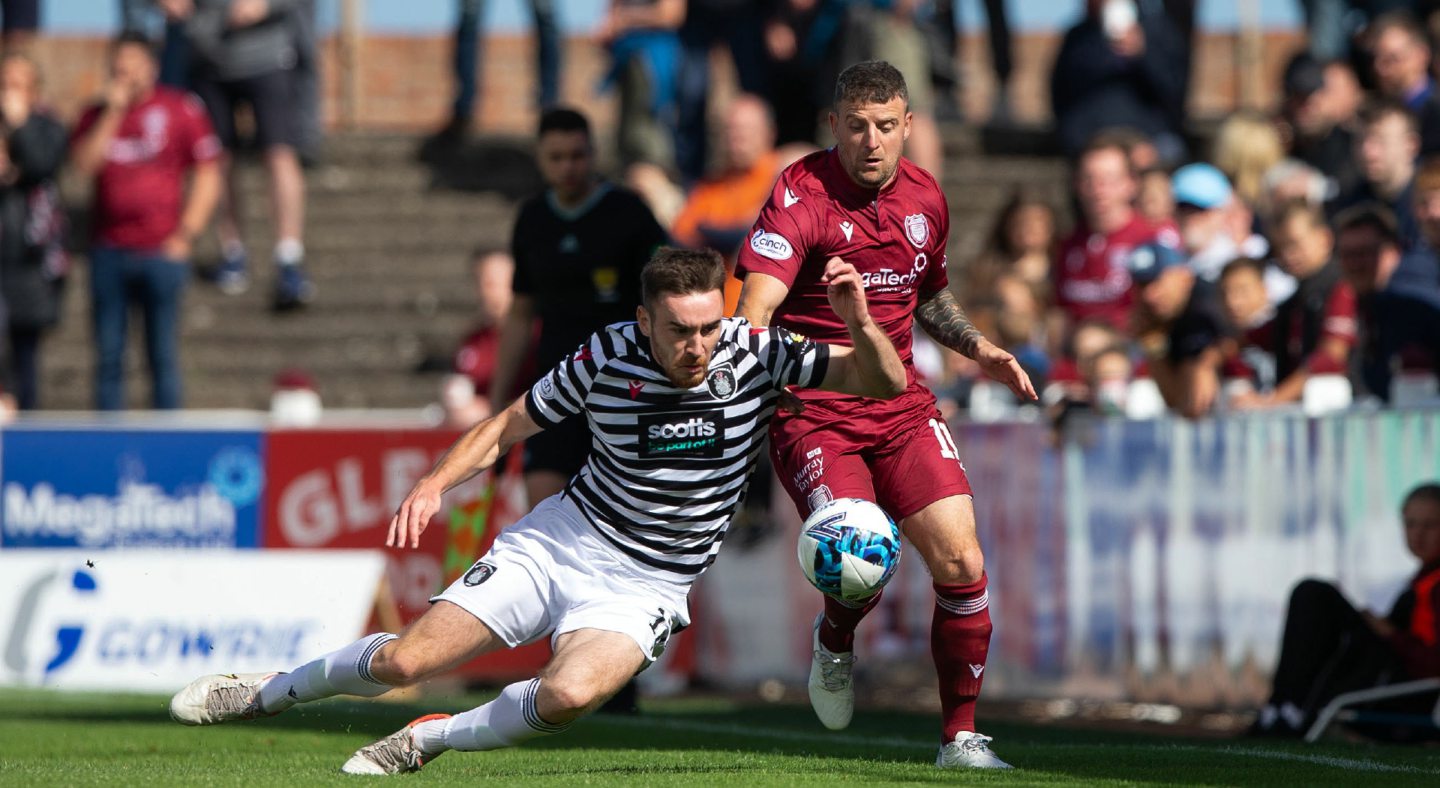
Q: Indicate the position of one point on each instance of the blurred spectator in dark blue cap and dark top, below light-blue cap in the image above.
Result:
(1179, 326)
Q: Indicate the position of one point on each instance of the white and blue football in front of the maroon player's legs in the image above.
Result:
(849, 550)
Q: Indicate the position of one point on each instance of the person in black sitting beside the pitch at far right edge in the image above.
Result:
(1330, 648)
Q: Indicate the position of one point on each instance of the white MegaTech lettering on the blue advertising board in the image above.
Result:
(138, 515)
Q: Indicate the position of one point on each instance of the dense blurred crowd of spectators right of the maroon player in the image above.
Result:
(1290, 261)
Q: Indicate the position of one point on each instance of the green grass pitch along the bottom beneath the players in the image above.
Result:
(117, 740)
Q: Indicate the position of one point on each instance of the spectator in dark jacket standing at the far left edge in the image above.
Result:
(32, 259)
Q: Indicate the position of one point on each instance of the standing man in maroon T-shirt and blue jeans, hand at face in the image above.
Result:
(140, 143)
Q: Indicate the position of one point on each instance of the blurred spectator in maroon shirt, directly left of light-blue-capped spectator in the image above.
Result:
(1091, 273)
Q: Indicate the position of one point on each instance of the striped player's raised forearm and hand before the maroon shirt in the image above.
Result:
(872, 368)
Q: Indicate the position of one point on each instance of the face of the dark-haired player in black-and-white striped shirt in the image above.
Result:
(683, 333)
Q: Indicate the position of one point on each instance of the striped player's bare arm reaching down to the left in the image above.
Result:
(479, 449)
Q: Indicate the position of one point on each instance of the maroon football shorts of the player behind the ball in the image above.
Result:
(896, 453)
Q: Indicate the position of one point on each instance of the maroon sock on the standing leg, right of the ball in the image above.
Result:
(960, 643)
